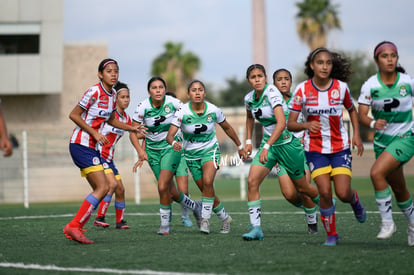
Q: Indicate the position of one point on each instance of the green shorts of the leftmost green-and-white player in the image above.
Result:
(166, 159)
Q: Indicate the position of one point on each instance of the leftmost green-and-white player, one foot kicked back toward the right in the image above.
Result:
(156, 113)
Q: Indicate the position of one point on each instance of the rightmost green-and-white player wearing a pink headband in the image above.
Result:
(389, 95)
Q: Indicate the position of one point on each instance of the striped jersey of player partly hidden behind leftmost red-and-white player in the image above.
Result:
(113, 135)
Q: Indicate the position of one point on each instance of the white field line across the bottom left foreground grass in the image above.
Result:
(94, 270)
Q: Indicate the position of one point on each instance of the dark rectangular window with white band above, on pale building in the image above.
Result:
(19, 38)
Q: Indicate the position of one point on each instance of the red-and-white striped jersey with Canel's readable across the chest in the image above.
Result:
(325, 107)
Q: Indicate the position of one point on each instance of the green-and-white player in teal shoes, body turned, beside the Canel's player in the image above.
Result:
(266, 105)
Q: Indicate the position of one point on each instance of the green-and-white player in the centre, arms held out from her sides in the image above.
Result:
(197, 119)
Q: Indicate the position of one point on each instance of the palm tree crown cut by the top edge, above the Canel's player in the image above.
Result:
(314, 19)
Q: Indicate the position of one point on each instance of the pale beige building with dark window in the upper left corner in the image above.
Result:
(31, 58)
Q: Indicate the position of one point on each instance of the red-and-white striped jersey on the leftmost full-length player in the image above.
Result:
(98, 105)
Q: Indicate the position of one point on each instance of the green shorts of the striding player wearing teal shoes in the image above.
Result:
(290, 156)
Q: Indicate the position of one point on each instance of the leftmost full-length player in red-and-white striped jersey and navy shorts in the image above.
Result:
(96, 107)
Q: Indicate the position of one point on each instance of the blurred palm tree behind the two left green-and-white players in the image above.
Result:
(176, 68)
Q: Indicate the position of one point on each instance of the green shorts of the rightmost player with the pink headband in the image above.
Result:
(401, 148)
